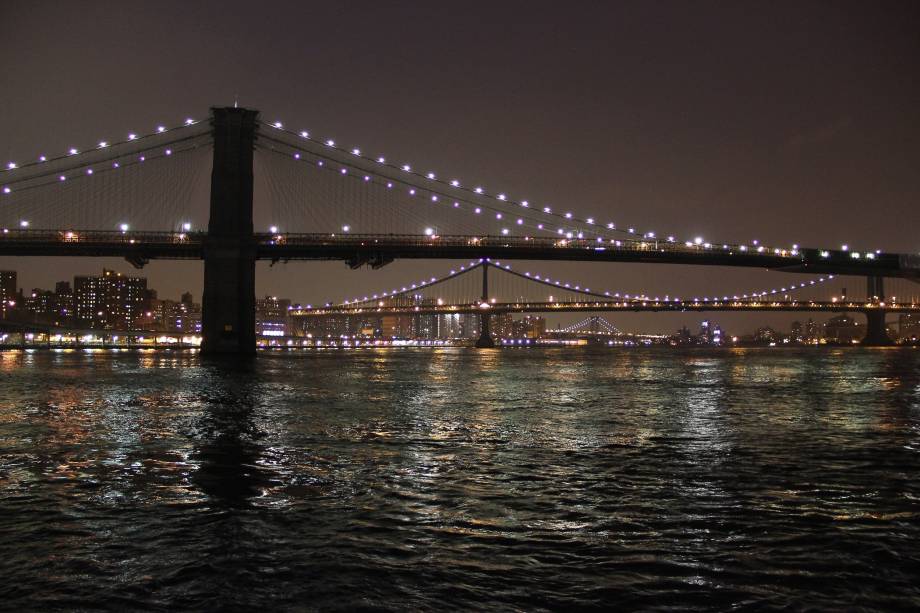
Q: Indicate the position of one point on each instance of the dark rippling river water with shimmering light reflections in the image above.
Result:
(430, 479)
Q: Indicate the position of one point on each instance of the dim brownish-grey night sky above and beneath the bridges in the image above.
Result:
(790, 122)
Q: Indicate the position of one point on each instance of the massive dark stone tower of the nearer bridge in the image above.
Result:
(228, 302)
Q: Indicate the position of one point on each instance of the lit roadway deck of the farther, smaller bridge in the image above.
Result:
(625, 307)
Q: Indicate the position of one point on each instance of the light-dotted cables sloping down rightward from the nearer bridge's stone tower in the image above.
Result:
(295, 142)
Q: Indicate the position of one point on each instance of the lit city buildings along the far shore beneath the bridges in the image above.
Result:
(117, 301)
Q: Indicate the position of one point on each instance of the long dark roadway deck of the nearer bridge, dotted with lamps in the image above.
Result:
(377, 250)
